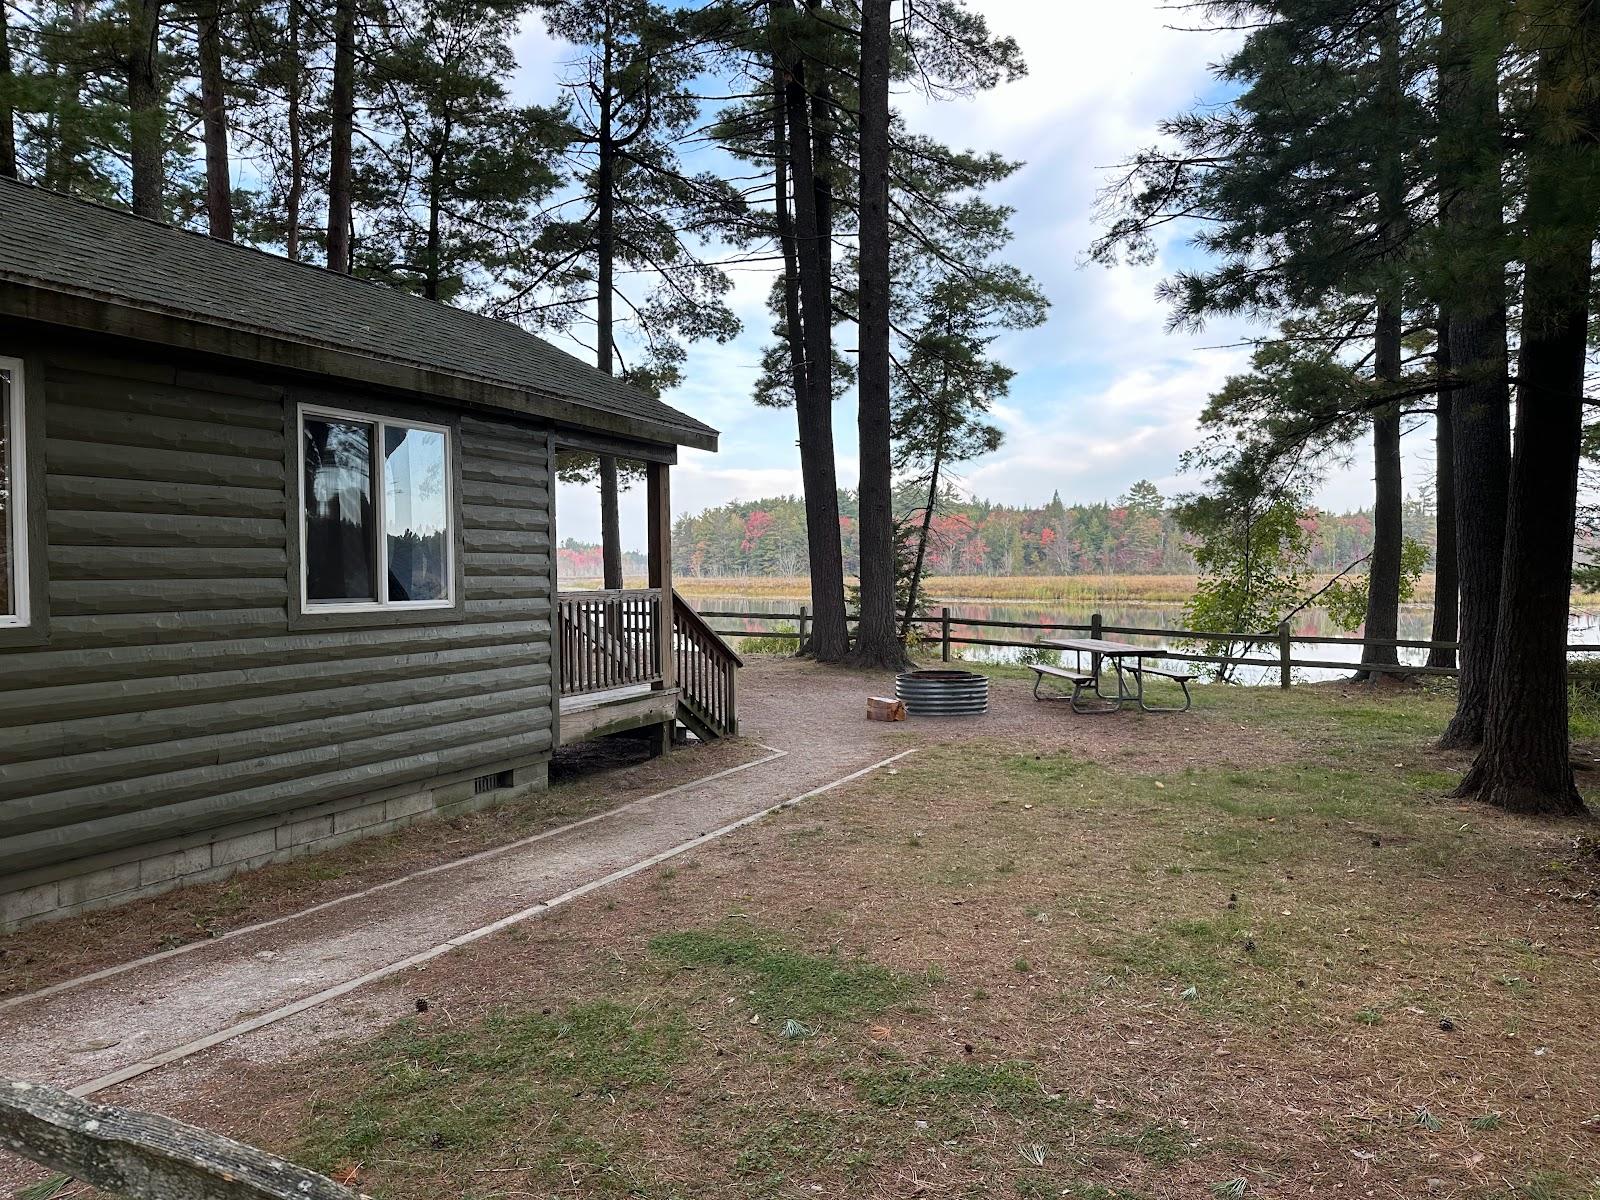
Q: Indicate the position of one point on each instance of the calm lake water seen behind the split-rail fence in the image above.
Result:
(1415, 625)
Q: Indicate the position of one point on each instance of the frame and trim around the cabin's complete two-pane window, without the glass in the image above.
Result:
(383, 604)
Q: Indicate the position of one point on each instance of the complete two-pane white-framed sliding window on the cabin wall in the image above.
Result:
(375, 513)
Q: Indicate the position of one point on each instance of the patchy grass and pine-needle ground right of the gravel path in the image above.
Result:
(1247, 951)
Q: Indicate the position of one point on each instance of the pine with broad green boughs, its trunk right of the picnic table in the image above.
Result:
(1311, 185)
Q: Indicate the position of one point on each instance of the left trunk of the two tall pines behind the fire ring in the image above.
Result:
(815, 409)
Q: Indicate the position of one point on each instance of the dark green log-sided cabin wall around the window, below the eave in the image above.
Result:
(180, 721)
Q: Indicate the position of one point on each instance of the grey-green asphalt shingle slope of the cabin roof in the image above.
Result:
(71, 246)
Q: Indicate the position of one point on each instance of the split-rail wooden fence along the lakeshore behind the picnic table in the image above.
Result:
(1282, 641)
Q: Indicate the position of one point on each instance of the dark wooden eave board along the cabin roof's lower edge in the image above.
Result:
(41, 302)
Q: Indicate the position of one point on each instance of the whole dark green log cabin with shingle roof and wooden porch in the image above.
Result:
(278, 561)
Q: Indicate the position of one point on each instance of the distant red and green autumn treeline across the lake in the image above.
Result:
(1135, 535)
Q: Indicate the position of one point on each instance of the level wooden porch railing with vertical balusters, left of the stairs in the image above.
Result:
(609, 639)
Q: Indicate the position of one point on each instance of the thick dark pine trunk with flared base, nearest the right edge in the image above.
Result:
(1526, 761)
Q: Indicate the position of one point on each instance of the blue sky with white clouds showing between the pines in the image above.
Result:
(1105, 396)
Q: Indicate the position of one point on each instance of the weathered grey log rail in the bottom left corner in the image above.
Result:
(145, 1156)
